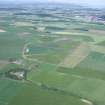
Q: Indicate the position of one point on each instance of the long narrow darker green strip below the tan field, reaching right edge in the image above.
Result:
(83, 72)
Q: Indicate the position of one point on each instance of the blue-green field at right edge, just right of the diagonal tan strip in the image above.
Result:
(95, 61)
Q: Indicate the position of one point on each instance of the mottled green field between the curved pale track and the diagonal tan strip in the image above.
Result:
(53, 52)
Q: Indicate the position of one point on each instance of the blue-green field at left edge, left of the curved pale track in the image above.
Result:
(13, 45)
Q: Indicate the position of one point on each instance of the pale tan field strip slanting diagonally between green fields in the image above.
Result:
(79, 54)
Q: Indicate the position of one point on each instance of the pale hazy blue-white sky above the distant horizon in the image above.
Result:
(94, 3)
